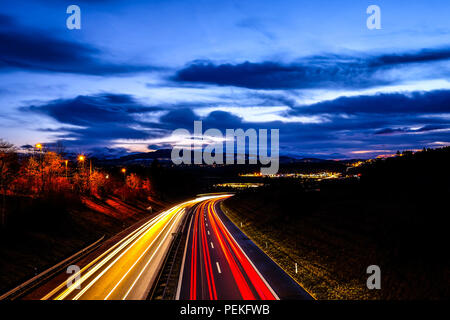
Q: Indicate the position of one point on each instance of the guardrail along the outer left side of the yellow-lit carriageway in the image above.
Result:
(35, 281)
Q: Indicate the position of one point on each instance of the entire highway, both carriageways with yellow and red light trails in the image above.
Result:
(219, 262)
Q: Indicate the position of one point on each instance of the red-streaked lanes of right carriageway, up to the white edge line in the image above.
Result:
(214, 266)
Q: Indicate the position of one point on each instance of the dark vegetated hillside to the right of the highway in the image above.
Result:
(395, 216)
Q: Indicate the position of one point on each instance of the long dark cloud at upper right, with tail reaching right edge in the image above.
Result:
(330, 71)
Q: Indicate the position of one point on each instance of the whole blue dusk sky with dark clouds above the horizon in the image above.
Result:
(137, 70)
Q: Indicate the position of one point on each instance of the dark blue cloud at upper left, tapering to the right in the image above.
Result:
(29, 49)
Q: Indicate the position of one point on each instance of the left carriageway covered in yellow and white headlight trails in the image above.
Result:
(127, 270)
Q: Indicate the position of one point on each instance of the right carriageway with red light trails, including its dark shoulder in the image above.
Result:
(217, 267)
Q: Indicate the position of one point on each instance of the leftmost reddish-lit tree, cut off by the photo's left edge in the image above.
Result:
(8, 170)
